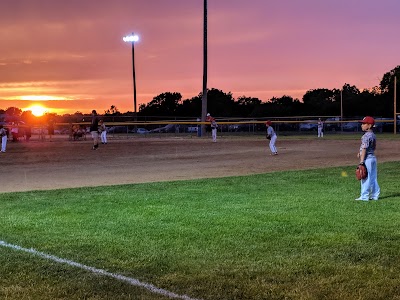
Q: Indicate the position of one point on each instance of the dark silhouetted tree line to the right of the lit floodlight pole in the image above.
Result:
(376, 101)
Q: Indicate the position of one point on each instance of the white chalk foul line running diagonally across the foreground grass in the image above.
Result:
(129, 280)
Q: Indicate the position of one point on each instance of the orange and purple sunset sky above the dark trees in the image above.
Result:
(70, 56)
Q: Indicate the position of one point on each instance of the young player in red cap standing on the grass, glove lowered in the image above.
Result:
(369, 186)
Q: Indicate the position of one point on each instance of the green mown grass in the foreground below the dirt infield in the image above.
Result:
(282, 235)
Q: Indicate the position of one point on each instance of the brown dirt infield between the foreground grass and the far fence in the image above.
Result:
(42, 165)
